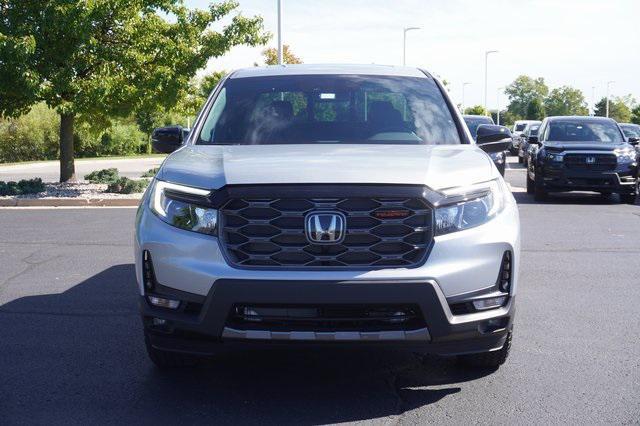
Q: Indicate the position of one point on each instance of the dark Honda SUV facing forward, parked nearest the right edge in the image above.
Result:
(583, 154)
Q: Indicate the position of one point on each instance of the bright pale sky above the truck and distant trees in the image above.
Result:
(583, 43)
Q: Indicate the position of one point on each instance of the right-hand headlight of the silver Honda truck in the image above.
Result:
(480, 204)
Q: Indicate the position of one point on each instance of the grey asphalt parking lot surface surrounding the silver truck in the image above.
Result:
(71, 348)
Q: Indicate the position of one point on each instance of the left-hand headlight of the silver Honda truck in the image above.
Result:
(178, 205)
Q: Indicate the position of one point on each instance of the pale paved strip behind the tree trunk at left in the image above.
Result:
(49, 171)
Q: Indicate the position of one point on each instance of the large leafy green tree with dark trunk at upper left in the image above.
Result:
(107, 58)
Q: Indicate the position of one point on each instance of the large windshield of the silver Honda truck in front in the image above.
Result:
(305, 109)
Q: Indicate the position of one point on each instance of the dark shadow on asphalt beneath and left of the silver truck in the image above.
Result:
(79, 357)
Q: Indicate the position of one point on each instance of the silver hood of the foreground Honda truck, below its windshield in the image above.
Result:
(438, 166)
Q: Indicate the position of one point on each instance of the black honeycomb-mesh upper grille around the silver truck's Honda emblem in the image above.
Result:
(380, 232)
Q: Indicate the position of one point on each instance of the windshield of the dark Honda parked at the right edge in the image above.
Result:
(584, 131)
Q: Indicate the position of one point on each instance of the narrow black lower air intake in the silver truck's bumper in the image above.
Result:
(326, 317)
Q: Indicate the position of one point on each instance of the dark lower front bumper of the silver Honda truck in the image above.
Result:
(207, 331)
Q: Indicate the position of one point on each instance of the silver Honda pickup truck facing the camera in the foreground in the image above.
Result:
(328, 205)
